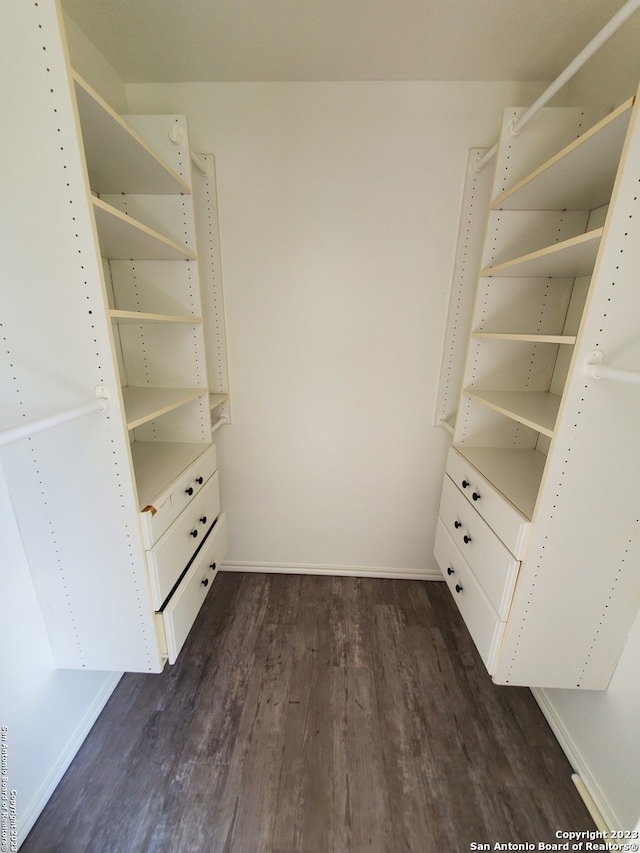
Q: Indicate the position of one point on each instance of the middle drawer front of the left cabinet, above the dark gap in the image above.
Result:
(170, 555)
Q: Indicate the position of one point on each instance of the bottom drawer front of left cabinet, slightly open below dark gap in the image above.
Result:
(181, 612)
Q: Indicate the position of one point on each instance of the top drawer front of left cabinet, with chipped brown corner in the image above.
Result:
(158, 518)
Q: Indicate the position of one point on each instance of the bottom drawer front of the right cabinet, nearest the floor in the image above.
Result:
(485, 627)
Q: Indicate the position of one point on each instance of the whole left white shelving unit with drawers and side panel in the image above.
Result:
(110, 290)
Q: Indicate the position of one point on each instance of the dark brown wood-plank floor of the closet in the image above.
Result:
(315, 715)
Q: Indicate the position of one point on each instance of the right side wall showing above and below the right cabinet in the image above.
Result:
(601, 731)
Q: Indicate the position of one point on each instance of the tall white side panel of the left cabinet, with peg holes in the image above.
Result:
(70, 487)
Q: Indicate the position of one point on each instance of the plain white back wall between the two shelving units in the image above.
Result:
(339, 206)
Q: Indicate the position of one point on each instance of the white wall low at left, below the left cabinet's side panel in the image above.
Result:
(48, 711)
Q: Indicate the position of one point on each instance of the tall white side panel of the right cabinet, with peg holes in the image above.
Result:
(585, 548)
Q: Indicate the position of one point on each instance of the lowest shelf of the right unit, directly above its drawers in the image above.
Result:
(515, 472)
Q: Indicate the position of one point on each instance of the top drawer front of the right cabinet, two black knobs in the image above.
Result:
(498, 512)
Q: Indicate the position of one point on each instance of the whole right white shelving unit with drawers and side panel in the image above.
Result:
(542, 454)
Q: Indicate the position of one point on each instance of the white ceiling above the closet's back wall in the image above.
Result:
(233, 40)
